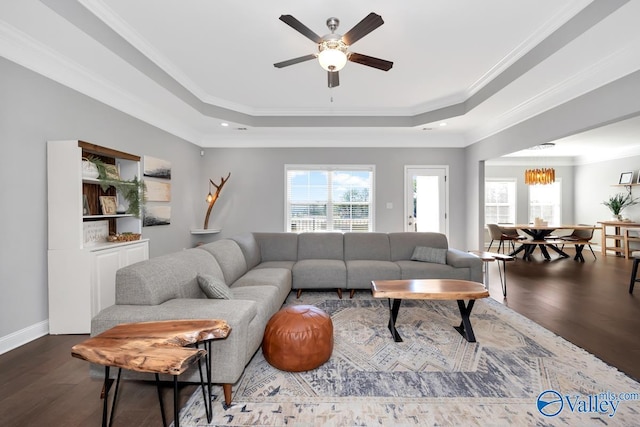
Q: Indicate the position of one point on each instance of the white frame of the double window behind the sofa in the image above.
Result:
(329, 168)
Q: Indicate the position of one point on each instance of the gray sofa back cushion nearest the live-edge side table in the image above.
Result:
(165, 277)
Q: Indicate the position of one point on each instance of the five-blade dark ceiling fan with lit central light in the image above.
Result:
(333, 52)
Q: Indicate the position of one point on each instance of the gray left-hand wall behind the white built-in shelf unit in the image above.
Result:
(33, 110)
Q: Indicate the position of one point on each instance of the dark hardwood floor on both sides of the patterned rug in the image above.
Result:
(586, 303)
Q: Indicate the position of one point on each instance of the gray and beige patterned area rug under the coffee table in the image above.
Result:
(517, 373)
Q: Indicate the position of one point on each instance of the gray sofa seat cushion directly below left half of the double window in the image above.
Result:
(319, 274)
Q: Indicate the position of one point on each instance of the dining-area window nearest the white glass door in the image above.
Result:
(500, 201)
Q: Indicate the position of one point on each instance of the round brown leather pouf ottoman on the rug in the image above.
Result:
(298, 338)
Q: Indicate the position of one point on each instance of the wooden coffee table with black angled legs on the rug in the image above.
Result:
(433, 289)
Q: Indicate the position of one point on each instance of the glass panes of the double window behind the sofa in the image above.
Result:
(329, 198)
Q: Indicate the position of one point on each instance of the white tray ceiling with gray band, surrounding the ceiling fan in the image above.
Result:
(188, 66)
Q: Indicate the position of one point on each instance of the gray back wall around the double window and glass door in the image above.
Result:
(253, 199)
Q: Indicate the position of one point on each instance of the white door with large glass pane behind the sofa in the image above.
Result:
(426, 198)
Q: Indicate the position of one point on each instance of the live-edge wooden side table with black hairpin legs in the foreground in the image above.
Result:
(155, 347)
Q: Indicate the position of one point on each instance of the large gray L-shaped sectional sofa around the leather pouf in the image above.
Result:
(261, 269)
